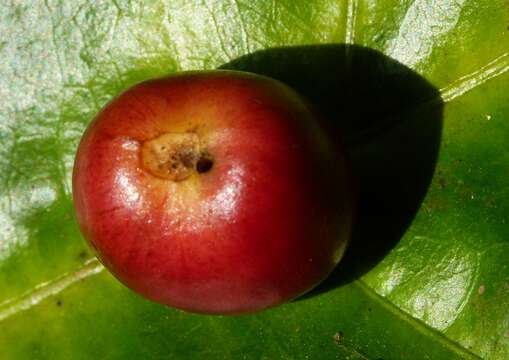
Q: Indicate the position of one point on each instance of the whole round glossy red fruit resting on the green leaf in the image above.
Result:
(213, 192)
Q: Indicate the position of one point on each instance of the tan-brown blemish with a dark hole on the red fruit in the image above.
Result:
(175, 156)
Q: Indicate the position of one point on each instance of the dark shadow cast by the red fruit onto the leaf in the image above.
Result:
(390, 120)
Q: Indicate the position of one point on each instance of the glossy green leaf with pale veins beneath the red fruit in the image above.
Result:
(419, 96)
